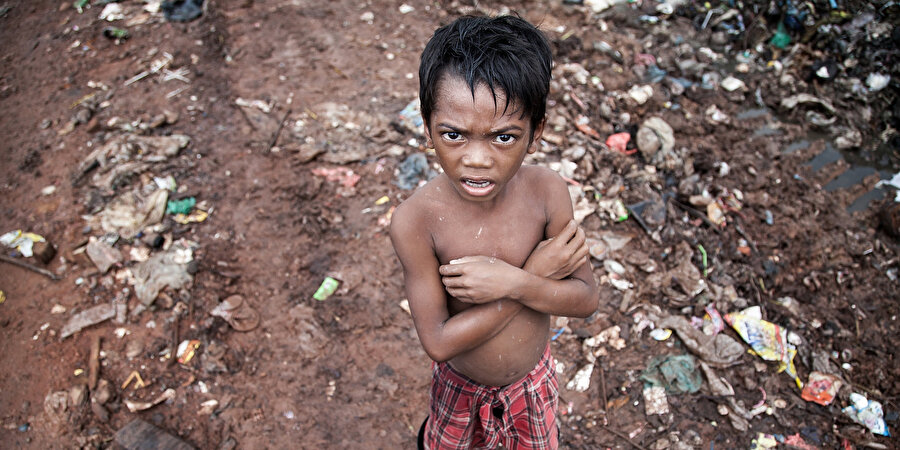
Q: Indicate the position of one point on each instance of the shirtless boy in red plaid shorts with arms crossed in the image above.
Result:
(481, 282)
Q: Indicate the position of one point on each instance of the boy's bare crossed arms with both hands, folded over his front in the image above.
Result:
(444, 337)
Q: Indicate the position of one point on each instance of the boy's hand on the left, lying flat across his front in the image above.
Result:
(477, 279)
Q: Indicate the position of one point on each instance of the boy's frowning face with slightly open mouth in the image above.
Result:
(479, 146)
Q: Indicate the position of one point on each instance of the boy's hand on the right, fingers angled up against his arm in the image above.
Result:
(556, 258)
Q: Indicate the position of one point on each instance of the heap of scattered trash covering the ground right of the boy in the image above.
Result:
(651, 135)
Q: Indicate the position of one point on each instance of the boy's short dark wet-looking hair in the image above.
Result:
(506, 53)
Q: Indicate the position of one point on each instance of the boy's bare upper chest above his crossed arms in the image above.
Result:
(510, 236)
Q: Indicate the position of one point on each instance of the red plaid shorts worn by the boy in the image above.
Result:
(466, 414)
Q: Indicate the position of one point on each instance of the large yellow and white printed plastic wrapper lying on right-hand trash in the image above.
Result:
(768, 340)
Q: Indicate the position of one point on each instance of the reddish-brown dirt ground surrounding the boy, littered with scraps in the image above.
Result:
(272, 92)
